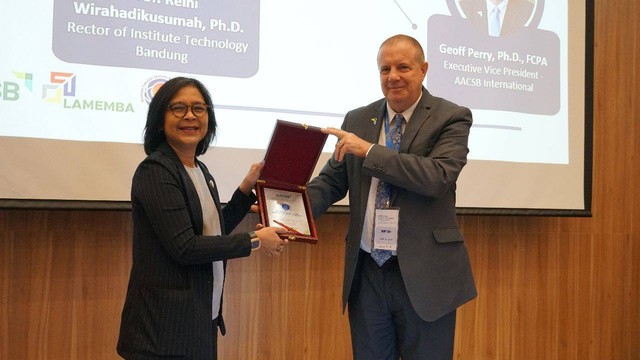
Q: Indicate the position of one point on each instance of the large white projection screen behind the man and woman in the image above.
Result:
(77, 76)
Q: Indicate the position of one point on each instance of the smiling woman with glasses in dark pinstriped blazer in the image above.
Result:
(180, 232)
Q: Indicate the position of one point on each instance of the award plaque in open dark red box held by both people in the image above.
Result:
(283, 201)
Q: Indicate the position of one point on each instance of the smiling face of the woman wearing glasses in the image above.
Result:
(182, 127)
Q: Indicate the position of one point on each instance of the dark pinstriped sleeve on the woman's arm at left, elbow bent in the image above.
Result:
(159, 201)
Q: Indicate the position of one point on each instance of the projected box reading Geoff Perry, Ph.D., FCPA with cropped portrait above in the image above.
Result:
(498, 58)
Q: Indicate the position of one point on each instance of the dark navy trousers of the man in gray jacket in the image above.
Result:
(383, 322)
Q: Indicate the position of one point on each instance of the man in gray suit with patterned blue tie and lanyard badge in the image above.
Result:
(406, 306)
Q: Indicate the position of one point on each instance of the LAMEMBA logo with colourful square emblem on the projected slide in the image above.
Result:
(62, 89)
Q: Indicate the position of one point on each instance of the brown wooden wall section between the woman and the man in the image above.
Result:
(289, 307)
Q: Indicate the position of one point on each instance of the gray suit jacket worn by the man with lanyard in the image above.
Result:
(431, 252)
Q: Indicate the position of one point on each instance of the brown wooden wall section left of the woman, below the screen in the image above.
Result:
(63, 283)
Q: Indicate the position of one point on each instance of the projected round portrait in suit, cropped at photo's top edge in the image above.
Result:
(511, 15)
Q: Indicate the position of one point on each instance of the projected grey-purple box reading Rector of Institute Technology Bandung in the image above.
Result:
(182, 36)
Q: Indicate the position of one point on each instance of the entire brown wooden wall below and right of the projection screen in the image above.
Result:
(550, 288)
